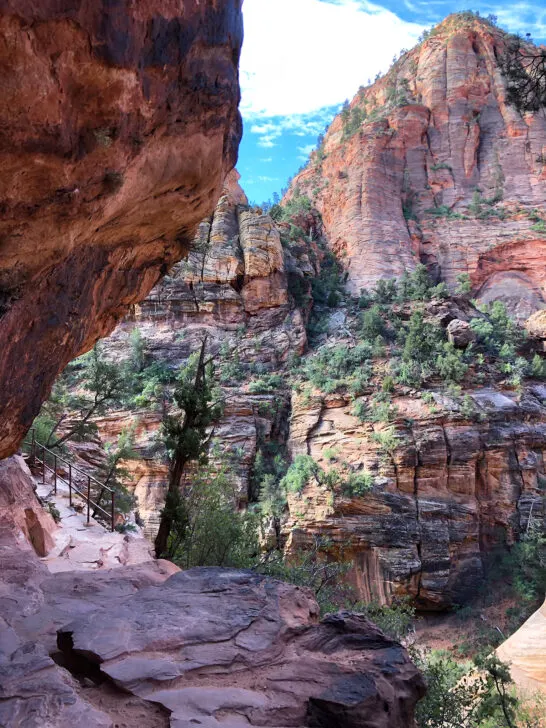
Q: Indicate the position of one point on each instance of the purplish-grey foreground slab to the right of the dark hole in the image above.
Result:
(273, 664)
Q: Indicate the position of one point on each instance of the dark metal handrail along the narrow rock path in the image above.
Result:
(36, 446)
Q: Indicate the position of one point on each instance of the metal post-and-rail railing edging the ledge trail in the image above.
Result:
(71, 476)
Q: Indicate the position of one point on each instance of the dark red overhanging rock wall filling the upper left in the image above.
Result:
(118, 127)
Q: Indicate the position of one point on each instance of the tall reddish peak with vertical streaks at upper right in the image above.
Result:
(431, 163)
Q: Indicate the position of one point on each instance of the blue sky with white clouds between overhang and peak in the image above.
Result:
(302, 58)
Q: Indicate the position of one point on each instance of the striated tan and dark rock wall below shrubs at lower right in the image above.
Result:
(449, 491)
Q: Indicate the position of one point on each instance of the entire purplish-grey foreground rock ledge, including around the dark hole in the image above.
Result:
(213, 647)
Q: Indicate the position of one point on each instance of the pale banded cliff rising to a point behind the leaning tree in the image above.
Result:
(233, 290)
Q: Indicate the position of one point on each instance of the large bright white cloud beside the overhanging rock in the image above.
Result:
(302, 55)
